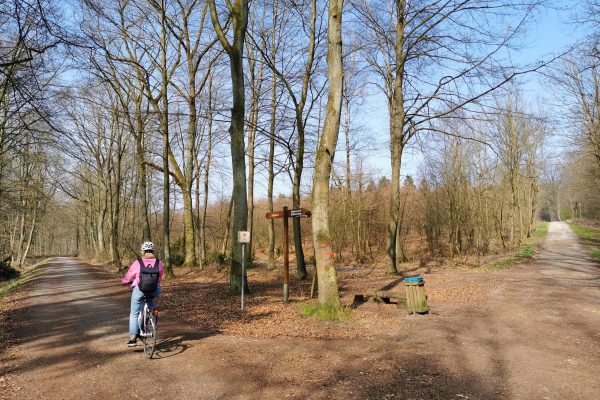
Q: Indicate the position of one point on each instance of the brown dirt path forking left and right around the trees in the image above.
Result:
(536, 336)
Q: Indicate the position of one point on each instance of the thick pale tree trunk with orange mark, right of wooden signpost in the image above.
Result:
(324, 258)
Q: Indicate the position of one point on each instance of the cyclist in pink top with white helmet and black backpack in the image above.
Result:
(146, 265)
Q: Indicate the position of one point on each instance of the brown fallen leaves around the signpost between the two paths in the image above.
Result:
(202, 299)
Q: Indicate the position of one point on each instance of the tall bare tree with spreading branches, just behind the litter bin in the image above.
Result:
(432, 59)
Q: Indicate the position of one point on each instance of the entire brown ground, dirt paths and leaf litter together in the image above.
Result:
(525, 332)
